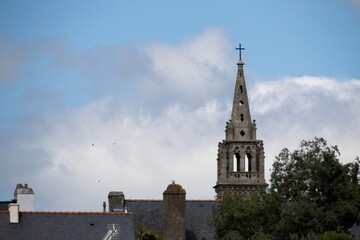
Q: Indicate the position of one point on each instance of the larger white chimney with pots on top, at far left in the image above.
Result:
(25, 197)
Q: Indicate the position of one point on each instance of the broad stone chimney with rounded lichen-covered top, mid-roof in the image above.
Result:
(174, 212)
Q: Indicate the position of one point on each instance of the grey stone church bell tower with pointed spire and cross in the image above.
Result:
(240, 161)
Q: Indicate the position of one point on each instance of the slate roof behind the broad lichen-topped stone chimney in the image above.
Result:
(149, 215)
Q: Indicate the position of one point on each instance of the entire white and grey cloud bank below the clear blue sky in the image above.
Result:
(160, 117)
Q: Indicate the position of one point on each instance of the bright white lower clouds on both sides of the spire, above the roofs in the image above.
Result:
(140, 152)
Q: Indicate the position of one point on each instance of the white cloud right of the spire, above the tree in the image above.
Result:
(296, 108)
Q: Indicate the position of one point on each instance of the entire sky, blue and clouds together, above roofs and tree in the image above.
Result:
(116, 95)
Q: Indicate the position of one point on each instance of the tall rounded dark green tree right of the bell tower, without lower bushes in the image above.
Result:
(317, 193)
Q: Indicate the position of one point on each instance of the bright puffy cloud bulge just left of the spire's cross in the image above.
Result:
(196, 67)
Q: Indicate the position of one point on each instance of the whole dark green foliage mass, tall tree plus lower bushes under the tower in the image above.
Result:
(311, 193)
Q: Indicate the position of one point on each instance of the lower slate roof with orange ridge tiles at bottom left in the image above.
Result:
(64, 225)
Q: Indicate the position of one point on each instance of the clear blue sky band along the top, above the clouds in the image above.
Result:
(287, 33)
